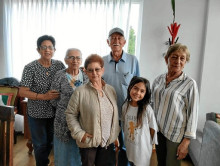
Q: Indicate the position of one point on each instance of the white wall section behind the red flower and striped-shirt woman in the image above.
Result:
(157, 15)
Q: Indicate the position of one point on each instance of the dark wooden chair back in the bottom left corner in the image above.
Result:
(7, 119)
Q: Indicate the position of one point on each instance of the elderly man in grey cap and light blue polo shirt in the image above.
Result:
(120, 67)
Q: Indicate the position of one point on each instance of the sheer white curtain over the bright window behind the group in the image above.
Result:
(82, 24)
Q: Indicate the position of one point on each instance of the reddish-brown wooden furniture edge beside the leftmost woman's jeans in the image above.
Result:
(27, 134)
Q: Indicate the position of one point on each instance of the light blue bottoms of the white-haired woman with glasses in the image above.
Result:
(66, 153)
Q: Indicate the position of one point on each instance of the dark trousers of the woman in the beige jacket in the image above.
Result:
(99, 156)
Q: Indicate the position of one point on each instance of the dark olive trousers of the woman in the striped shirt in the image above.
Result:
(166, 151)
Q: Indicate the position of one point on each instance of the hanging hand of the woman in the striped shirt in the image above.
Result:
(182, 149)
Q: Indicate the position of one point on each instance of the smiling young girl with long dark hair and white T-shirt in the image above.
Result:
(139, 123)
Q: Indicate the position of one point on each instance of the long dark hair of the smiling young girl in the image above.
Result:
(142, 104)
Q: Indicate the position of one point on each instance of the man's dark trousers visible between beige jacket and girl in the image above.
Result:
(122, 156)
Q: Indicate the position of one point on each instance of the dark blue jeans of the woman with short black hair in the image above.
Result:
(42, 138)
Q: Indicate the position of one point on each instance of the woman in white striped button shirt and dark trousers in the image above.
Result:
(175, 102)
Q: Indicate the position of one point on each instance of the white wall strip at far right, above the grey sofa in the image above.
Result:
(210, 83)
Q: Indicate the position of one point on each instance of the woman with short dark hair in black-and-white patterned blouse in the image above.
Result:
(35, 85)
